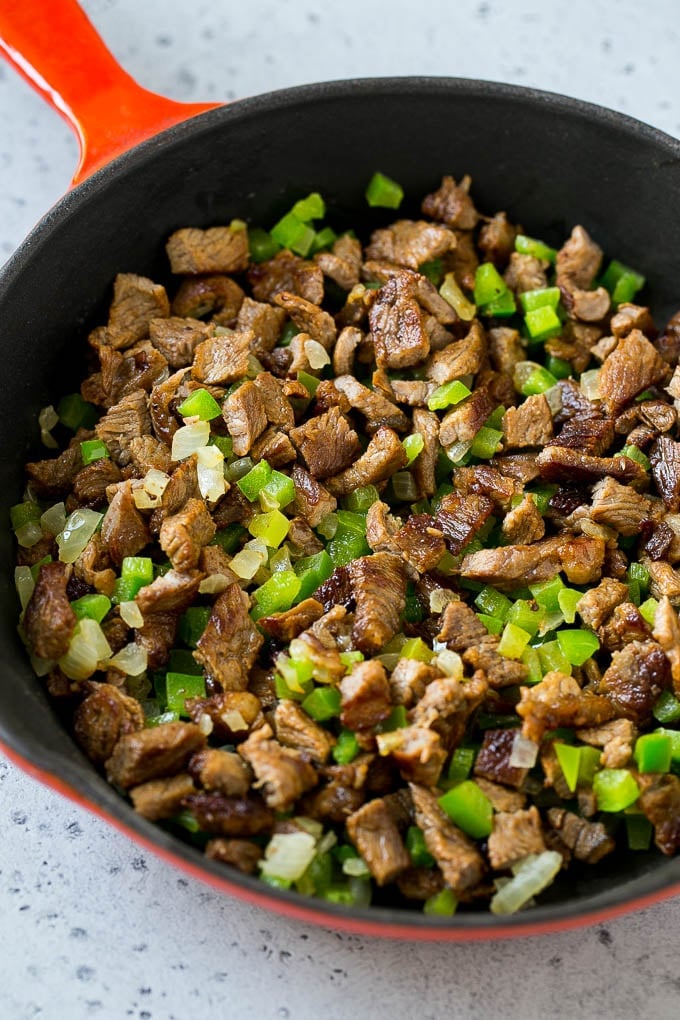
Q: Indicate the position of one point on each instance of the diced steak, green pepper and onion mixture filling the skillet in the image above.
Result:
(359, 564)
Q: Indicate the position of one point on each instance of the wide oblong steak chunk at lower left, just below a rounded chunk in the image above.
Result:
(152, 754)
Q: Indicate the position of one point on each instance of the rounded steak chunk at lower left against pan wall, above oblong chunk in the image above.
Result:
(103, 718)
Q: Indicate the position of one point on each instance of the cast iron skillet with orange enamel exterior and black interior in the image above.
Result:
(550, 162)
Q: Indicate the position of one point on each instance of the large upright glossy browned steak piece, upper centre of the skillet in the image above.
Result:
(397, 323)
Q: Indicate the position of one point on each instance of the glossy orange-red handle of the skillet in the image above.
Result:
(58, 50)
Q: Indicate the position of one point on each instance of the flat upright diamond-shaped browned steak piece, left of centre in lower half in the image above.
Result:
(229, 646)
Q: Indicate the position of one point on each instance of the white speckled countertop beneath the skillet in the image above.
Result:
(90, 925)
